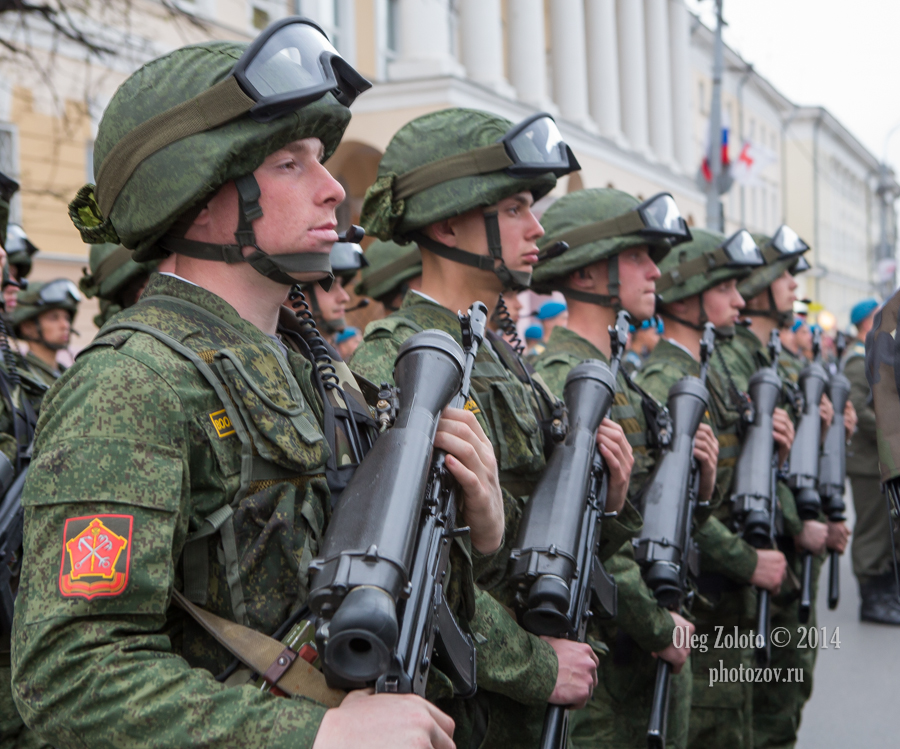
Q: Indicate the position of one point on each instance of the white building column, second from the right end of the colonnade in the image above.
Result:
(659, 81)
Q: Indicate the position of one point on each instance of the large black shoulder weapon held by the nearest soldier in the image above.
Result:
(378, 585)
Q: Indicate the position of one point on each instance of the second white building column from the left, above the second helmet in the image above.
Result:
(481, 44)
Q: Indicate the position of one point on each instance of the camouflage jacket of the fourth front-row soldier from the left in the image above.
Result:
(730, 555)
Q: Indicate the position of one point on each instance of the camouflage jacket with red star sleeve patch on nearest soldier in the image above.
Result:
(136, 452)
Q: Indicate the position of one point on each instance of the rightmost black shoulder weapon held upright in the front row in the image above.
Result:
(833, 469)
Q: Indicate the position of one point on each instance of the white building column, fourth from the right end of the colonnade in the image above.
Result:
(603, 68)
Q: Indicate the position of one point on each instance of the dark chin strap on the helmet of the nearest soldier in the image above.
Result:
(275, 267)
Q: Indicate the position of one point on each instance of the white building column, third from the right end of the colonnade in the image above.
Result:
(633, 74)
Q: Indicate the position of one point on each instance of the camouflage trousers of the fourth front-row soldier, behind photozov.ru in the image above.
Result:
(721, 714)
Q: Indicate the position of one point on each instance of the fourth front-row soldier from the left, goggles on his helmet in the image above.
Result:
(698, 285)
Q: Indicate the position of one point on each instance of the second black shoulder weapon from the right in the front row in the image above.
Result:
(803, 470)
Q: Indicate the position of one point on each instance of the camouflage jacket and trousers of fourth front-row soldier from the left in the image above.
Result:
(721, 715)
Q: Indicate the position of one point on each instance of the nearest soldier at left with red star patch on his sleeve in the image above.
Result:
(183, 455)
